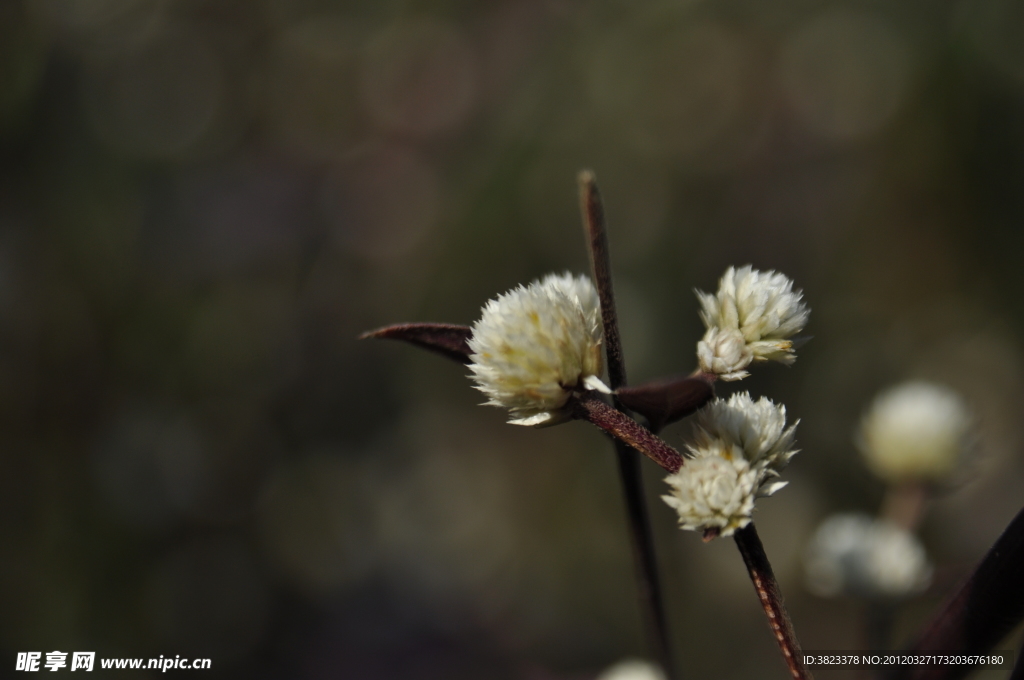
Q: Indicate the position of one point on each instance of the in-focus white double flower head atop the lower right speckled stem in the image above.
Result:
(741, 448)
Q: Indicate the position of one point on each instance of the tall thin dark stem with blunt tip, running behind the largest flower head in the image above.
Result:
(630, 472)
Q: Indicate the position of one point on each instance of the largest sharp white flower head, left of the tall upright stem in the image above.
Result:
(537, 344)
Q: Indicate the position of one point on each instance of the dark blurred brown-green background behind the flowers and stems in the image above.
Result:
(204, 202)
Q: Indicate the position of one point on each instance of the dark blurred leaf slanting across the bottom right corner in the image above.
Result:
(986, 610)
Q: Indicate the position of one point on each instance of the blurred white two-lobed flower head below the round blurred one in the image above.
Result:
(852, 555)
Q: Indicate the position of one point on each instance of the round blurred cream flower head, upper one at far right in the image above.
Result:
(916, 431)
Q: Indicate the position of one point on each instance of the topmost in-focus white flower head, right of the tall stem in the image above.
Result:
(751, 319)
